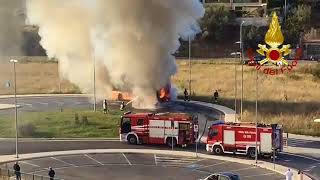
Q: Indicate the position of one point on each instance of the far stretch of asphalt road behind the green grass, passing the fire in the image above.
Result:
(39, 104)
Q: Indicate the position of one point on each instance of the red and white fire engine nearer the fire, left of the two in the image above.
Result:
(162, 128)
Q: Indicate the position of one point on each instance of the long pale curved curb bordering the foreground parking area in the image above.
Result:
(266, 165)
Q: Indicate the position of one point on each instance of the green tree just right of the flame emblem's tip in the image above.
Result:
(297, 23)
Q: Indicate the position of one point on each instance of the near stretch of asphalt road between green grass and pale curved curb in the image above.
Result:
(309, 165)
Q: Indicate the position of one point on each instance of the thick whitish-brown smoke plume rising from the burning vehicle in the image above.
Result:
(132, 42)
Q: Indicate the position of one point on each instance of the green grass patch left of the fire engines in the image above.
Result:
(63, 124)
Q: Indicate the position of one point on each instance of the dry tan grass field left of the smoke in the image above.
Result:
(34, 77)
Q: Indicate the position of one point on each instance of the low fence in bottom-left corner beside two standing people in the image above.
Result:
(6, 174)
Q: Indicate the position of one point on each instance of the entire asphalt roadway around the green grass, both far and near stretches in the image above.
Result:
(310, 163)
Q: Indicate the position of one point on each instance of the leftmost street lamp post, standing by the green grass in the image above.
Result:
(15, 104)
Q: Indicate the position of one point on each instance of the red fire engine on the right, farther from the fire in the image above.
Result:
(241, 138)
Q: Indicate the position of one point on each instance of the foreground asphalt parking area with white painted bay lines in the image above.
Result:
(121, 166)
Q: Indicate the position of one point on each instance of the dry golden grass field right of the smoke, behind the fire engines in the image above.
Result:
(301, 88)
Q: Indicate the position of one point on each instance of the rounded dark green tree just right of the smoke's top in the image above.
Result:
(215, 20)
